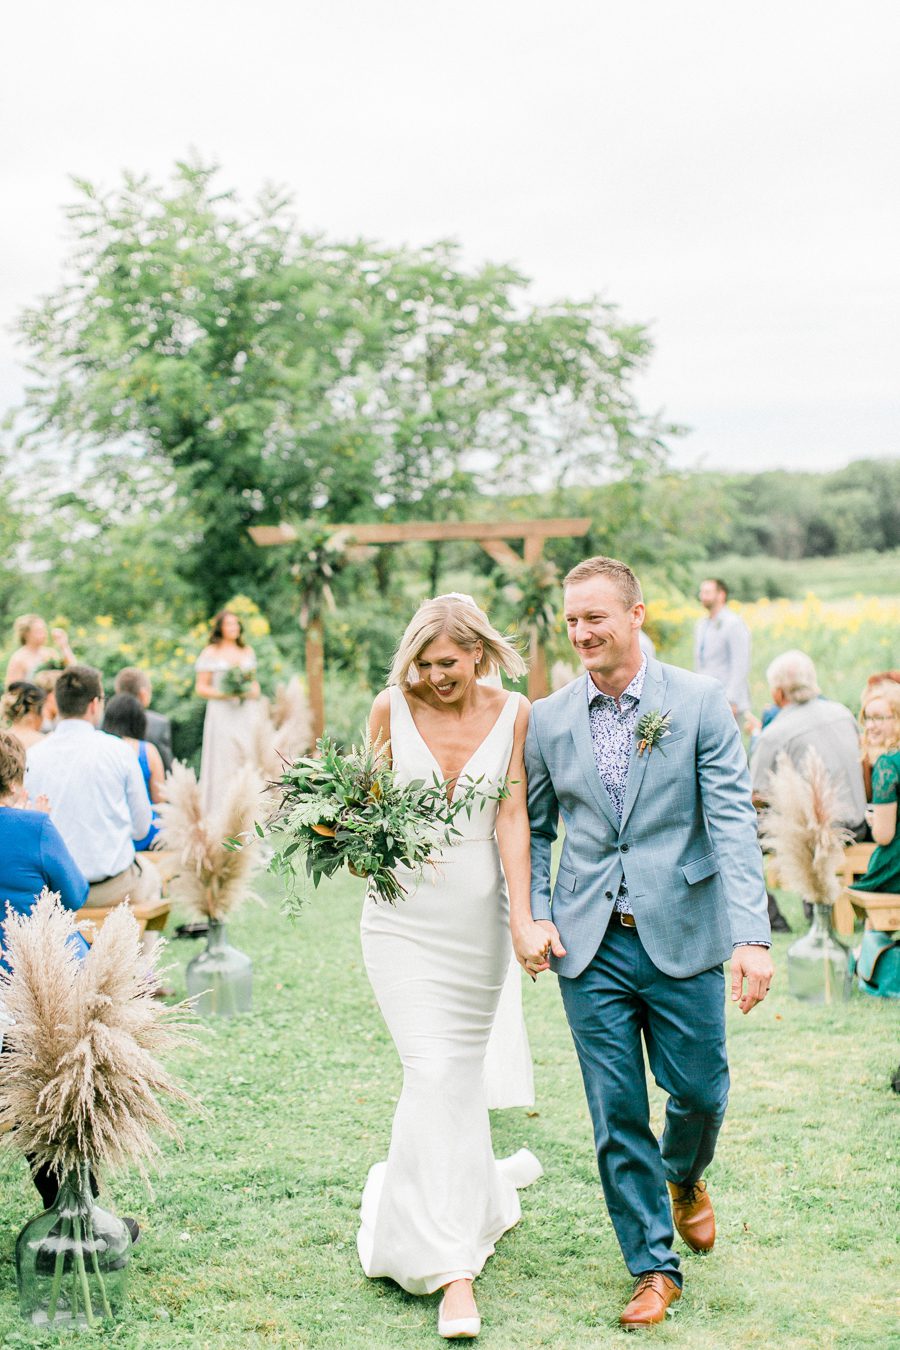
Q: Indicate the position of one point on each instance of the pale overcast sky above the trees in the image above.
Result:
(727, 173)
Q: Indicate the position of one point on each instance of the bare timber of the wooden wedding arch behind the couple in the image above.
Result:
(493, 537)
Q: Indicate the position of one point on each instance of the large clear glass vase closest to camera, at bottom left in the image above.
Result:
(72, 1262)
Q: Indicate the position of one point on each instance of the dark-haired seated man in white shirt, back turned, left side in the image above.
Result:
(98, 796)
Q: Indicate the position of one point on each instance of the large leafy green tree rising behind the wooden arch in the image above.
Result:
(283, 375)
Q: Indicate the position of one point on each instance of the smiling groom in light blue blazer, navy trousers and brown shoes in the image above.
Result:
(660, 881)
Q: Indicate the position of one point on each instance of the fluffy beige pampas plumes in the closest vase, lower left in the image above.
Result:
(80, 1077)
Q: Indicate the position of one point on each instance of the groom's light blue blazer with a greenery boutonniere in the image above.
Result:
(687, 843)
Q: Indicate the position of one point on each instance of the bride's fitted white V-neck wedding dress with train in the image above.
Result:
(439, 962)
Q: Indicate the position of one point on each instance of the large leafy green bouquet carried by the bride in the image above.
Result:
(353, 811)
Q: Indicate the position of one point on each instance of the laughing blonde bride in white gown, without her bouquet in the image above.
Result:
(438, 963)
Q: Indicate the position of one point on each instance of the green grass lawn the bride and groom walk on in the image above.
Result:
(250, 1240)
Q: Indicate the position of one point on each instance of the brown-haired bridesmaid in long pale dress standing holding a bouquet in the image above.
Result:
(227, 681)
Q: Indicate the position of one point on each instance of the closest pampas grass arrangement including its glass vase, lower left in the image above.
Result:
(83, 1090)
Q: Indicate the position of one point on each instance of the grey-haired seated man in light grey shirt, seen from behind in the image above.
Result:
(808, 722)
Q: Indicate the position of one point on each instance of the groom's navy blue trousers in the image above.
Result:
(616, 1005)
